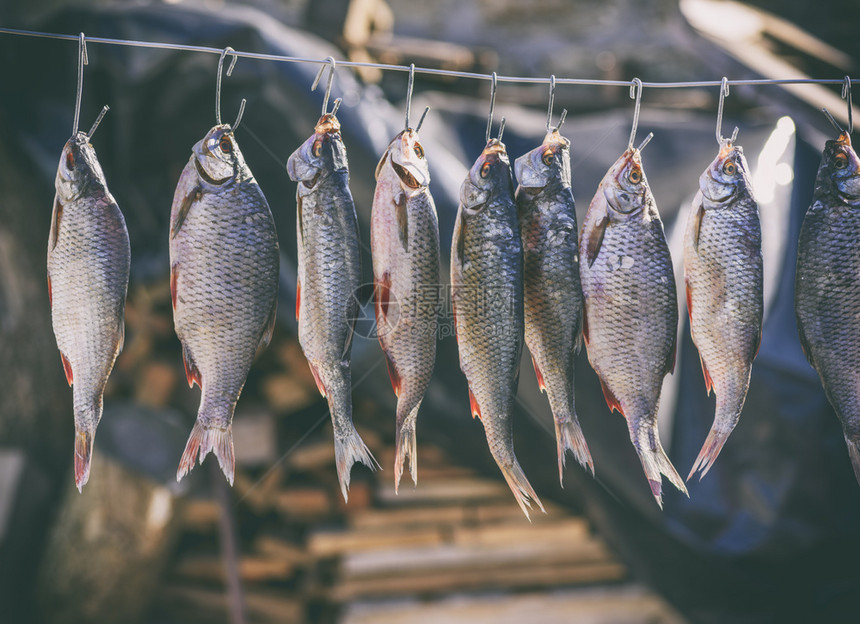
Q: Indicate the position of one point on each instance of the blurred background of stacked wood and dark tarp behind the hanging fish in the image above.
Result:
(771, 534)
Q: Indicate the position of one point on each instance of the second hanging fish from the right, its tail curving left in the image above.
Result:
(723, 274)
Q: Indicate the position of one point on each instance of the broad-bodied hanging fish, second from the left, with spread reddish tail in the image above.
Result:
(223, 285)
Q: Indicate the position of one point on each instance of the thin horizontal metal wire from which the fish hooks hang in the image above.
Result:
(420, 70)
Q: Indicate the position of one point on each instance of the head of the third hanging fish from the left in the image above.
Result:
(321, 155)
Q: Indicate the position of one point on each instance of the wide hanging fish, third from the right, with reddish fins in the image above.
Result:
(631, 307)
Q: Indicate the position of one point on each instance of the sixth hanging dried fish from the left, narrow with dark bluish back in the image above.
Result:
(552, 294)
